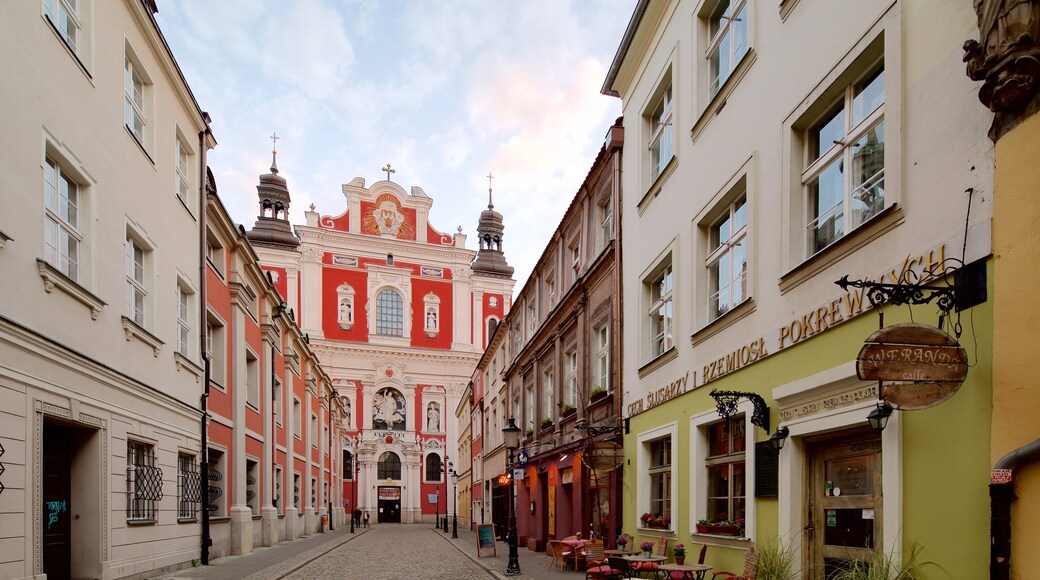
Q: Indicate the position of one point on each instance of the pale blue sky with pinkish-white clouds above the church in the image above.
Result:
(445, 91)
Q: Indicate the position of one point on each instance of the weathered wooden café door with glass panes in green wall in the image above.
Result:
(844, 515)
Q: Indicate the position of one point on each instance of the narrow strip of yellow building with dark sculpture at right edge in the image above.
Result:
(1017, 251)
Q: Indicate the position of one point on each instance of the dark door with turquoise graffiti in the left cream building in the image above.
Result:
(57, 502)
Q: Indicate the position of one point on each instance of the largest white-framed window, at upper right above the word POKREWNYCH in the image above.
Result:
(845, 175)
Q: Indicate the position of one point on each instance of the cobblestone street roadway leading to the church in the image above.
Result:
(396, 551)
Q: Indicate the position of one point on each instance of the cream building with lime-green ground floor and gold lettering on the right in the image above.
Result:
(782, 147)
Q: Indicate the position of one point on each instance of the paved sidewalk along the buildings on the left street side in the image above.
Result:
(276, 562)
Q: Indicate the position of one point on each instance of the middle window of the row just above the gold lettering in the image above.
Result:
(727, 261)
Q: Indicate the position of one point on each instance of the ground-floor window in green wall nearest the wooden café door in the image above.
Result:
(725, 464)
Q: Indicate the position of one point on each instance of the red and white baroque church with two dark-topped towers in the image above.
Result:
(399, 313)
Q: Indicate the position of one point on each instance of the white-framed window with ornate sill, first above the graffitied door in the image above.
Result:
(62, 234)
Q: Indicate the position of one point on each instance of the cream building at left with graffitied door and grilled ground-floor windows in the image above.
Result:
(100, 359)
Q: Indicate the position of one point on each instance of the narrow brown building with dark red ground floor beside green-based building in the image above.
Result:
(563, 368)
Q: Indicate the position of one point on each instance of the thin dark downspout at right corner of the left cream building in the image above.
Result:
(203, 247)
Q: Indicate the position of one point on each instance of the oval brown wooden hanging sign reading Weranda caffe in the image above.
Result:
(920, 366)
